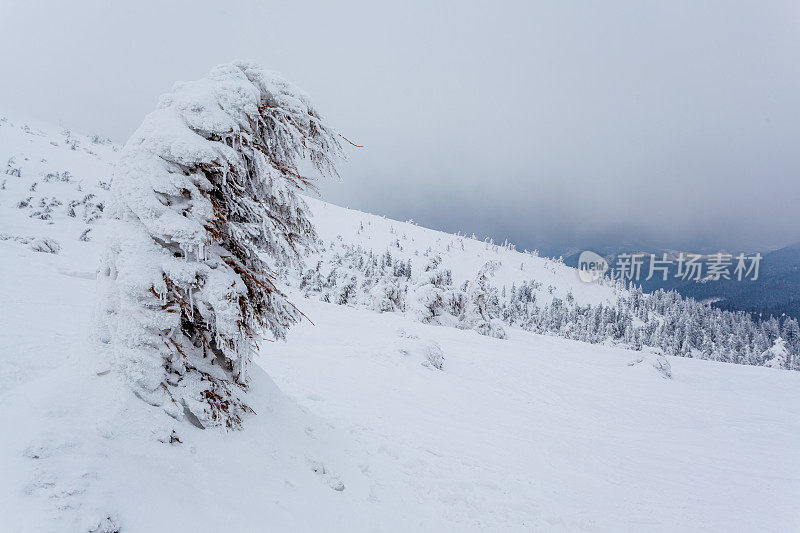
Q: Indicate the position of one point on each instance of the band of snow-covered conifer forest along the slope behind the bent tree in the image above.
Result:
(349, 273)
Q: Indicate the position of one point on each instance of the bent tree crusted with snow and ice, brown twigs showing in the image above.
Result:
(205, 207)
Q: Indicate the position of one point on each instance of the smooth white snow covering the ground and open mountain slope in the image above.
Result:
(356, 429)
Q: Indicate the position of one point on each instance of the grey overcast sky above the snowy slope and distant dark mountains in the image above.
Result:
(555, 124)
